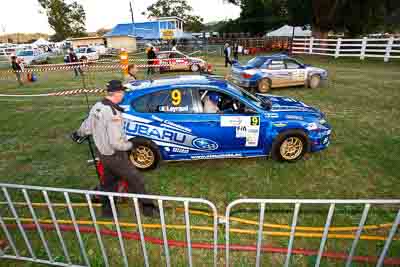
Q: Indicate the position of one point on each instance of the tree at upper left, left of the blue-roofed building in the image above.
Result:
(67, 20)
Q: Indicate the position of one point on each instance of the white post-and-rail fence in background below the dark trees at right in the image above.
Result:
(386, 48)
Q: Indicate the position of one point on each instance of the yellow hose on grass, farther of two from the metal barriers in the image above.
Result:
(234, 219)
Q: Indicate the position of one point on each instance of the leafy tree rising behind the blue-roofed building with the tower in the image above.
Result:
(178, 8)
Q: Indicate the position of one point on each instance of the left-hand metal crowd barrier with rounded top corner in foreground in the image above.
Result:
(52, 260)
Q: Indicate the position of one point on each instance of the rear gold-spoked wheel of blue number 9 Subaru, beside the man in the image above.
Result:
(144, 155)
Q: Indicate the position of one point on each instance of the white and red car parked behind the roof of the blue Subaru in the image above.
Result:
(178, 61)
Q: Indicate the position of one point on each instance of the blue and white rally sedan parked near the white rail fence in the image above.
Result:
(266, 72)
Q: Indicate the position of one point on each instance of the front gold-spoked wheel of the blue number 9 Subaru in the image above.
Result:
(297, 139)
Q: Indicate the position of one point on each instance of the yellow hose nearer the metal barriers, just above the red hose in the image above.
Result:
(207, 228)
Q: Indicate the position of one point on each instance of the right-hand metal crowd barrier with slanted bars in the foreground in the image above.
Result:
(297, 203)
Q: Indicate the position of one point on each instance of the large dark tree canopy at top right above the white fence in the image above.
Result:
(353, 17)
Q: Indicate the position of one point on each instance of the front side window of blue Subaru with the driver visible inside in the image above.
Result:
(213, 101)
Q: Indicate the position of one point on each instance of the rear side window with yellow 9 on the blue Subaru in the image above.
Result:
(165, 101)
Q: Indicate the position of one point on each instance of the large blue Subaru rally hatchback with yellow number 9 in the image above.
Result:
(203, 117)
